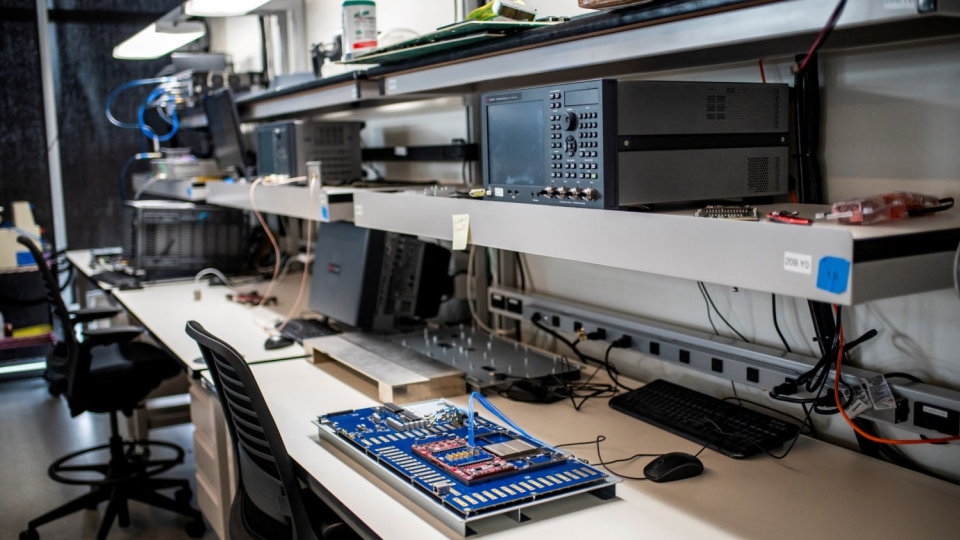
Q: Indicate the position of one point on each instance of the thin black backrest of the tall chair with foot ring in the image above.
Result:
(67, 349)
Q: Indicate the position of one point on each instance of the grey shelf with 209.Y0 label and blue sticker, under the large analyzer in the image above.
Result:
(901, 258)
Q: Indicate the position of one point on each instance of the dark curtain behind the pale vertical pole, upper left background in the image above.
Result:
(92, 150)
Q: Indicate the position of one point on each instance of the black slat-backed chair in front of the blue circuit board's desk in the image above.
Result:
(269, 503)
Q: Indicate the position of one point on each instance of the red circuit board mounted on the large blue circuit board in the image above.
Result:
(466, 463)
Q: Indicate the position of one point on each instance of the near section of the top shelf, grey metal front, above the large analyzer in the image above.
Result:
(773, 29)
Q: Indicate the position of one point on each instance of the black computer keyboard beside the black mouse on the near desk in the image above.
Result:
(730, 429)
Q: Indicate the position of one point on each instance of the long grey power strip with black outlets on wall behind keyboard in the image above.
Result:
(726, 358)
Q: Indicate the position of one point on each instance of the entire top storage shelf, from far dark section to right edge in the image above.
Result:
(654, 37)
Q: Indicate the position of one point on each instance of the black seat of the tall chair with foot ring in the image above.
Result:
(123, 374)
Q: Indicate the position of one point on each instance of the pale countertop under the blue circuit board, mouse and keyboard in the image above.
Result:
(819, 490)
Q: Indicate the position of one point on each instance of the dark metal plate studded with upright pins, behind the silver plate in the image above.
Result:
(488, 360)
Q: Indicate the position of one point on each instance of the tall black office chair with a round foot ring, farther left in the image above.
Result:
(108, 373)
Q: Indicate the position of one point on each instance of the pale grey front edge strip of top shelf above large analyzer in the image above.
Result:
(743, 26)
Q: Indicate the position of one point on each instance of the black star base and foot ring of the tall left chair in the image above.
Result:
(124, 480)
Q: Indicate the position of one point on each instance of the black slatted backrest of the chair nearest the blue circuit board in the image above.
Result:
(266, 470)
